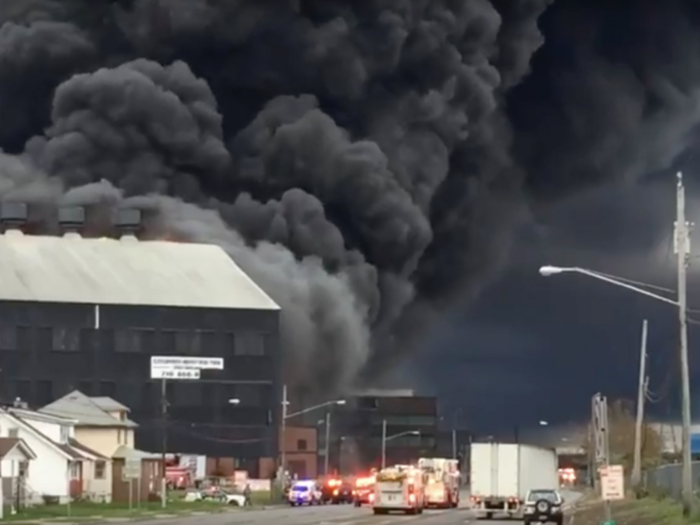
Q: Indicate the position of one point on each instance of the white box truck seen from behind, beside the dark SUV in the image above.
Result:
(502, 474)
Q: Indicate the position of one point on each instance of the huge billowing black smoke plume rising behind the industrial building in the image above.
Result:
(365, 162)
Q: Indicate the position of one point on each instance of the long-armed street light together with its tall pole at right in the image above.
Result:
(681, 304)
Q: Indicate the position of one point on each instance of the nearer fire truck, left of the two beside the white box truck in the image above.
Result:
(399, 488)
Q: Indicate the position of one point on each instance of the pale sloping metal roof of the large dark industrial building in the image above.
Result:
(73, 269)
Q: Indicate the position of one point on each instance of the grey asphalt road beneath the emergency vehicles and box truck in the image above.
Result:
(338, 515)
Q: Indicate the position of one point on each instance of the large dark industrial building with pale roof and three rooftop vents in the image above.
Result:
(87, 313)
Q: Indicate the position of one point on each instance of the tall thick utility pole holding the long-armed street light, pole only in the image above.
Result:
(682, 249)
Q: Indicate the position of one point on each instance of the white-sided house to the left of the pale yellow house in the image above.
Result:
(56, 469)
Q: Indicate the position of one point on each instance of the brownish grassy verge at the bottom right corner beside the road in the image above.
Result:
(646, 511)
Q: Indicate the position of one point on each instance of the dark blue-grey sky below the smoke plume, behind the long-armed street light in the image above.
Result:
(533, 348)
